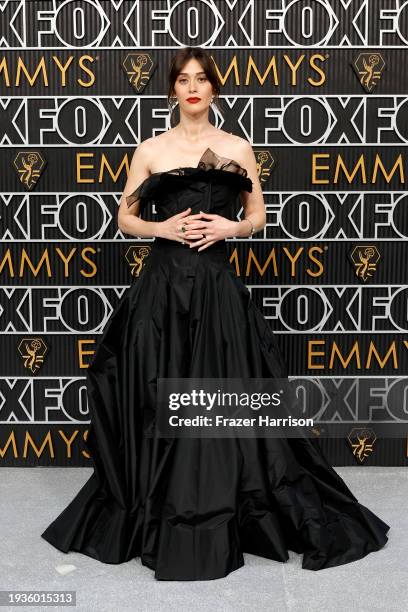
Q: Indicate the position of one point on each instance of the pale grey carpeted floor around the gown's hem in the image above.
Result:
(32, 497)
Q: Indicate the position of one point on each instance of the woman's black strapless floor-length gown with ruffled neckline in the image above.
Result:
(189, 508)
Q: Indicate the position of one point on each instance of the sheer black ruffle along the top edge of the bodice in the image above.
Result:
(211, 166)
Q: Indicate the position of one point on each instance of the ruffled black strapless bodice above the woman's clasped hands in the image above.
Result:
(212, 186)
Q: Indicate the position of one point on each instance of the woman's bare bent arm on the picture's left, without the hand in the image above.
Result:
(129, 221)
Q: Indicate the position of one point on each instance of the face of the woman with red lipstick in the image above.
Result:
(192, 88)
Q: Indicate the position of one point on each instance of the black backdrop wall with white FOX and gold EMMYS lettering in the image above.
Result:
(319, 88)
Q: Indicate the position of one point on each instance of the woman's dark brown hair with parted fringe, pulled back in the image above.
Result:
(177, 64)
